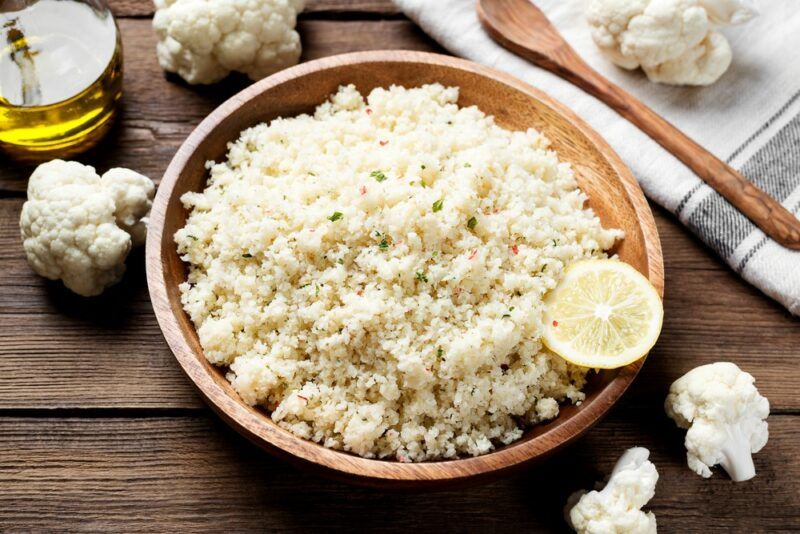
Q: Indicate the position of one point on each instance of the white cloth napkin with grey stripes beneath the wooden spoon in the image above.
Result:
(749, 118)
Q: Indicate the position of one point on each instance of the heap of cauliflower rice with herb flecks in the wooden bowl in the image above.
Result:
(373, 274)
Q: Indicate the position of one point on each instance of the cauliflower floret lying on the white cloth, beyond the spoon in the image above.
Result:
(673, 41)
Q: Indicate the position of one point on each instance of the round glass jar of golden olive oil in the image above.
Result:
(60, 75)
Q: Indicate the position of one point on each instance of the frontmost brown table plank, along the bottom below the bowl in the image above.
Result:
(192, 473)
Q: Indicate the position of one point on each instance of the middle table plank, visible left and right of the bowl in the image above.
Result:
(59, 350)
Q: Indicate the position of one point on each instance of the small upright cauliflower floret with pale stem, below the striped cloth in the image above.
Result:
(725, 416)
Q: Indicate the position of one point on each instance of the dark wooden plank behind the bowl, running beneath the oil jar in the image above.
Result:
(159, 111)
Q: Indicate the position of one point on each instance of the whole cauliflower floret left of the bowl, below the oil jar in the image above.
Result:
(69, 223)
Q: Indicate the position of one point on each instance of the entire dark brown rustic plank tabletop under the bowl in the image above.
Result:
(100, 430)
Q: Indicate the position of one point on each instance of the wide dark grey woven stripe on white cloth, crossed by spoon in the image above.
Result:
(775, 168)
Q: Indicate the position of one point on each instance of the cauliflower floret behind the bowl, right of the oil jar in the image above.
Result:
(205, 40)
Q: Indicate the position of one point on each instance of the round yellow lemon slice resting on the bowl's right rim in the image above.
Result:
(603, 314)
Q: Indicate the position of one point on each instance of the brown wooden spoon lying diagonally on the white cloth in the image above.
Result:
(521, 27)
